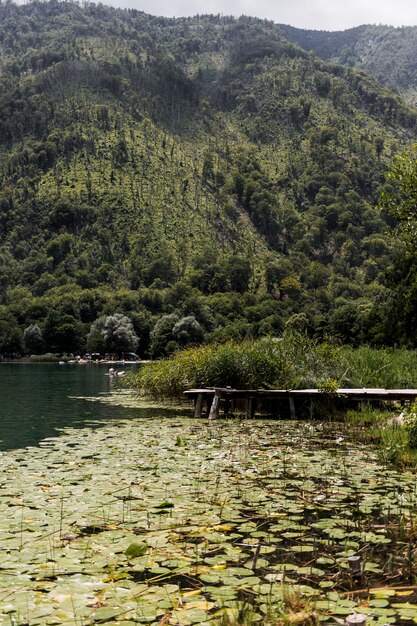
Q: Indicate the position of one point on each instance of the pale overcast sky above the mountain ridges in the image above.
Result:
(313, 14)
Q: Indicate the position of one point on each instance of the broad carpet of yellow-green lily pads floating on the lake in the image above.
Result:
(135, 523)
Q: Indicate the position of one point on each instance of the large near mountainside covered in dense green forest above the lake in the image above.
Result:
(174, 181)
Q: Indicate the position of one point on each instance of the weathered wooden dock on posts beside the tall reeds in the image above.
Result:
(208, 402)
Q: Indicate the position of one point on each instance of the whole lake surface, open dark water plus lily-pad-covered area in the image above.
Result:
(138, 514)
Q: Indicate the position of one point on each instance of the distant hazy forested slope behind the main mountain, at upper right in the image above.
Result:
(387, 53)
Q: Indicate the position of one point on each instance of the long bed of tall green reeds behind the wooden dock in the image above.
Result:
(293, 361)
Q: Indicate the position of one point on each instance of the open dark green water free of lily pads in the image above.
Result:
(36, 400)
